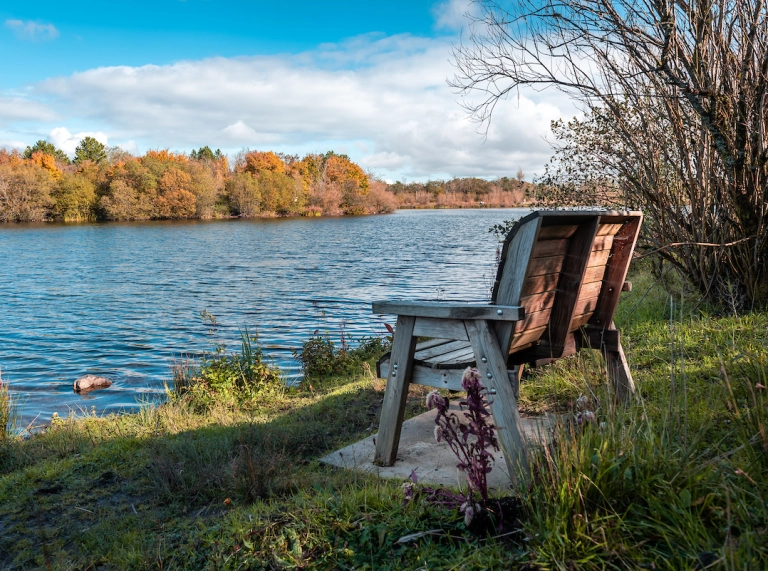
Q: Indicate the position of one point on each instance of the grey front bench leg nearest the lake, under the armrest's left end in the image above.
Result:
(396, 393)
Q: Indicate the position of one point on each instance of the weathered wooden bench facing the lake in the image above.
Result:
(556, 290)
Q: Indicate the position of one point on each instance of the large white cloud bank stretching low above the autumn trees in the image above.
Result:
(383, 99)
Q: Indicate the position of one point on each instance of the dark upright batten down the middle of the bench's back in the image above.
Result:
(570, 283)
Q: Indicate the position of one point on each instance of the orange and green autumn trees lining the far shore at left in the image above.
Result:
(108, 183)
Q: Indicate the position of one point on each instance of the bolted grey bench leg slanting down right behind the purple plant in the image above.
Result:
(503, 403)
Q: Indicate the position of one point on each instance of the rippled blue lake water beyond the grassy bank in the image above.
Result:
(124, 300)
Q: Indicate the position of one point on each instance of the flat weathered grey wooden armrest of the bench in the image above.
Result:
(449, 310)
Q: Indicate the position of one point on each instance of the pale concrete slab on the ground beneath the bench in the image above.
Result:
(434, 463)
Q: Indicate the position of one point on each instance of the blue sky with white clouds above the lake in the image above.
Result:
(368, 79)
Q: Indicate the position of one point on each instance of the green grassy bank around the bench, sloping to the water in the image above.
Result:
(218, 478)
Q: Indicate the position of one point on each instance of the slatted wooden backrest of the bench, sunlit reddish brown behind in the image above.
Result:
(567, 269)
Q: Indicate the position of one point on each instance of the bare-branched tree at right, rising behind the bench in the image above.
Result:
(674, 95)
